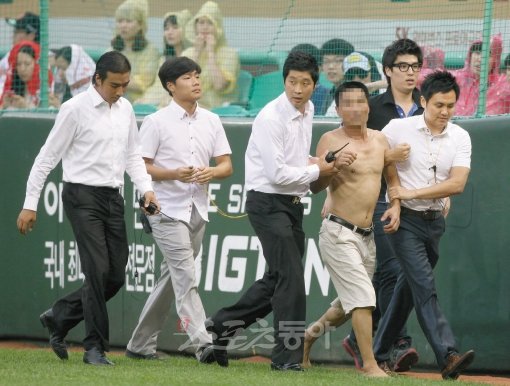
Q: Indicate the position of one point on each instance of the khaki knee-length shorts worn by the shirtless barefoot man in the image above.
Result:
(350, 260)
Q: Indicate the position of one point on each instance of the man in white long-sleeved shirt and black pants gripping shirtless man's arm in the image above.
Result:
(278, 172)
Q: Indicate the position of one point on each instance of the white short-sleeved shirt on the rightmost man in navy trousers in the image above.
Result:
(446, 150)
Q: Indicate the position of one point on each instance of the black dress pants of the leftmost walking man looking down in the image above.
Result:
(97, 218)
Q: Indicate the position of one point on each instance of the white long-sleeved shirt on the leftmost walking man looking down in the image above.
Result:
(96, 143)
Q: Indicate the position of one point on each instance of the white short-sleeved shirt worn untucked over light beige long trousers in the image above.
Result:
(174, 139)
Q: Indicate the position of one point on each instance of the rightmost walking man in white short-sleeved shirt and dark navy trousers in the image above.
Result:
(437, 167)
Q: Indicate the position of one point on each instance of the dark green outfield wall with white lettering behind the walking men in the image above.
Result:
(473, 273)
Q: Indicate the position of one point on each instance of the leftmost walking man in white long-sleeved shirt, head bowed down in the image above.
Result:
(96, 136)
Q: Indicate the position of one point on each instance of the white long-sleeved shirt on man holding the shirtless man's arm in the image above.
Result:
(276, 159)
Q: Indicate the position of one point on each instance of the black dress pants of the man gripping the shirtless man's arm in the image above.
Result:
(277, 221)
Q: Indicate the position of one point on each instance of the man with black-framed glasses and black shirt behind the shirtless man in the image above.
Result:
(402, 61)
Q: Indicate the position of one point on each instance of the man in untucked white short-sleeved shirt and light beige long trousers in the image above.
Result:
(177, 144)
